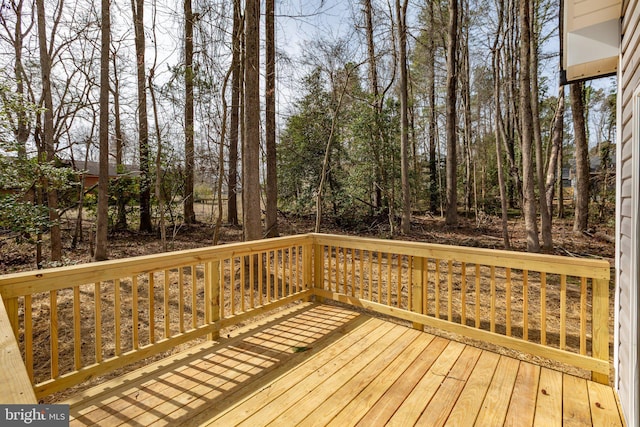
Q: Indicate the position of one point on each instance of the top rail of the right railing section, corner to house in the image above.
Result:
(592, 268)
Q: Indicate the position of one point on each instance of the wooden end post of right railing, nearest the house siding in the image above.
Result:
(600, 326)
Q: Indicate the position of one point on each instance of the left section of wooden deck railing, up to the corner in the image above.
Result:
(153, 303)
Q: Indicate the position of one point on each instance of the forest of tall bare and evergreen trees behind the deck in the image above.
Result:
(447, 107)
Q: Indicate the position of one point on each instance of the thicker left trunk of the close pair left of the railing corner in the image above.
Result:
(251, 209)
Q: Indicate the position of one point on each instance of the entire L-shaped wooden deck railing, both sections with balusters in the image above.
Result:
(87, 320)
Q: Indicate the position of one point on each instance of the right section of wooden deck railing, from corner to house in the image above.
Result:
(483, 294)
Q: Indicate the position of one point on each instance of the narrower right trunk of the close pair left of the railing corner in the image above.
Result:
(271, 217)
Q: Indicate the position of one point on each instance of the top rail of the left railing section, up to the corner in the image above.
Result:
(17, 284)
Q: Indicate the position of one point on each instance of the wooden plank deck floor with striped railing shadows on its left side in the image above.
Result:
(326, 365)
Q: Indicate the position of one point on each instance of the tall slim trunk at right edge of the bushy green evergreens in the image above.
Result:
(401, 12)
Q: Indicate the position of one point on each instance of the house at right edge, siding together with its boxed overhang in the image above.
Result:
(599, 38)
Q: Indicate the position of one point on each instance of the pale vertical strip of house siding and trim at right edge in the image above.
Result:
(627, 229)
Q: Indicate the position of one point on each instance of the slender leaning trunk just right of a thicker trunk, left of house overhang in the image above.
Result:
(545, 218)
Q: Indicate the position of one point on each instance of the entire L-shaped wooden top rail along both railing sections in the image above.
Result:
(17, 284)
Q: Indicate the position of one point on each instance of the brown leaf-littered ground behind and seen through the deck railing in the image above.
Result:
(485, 233)
